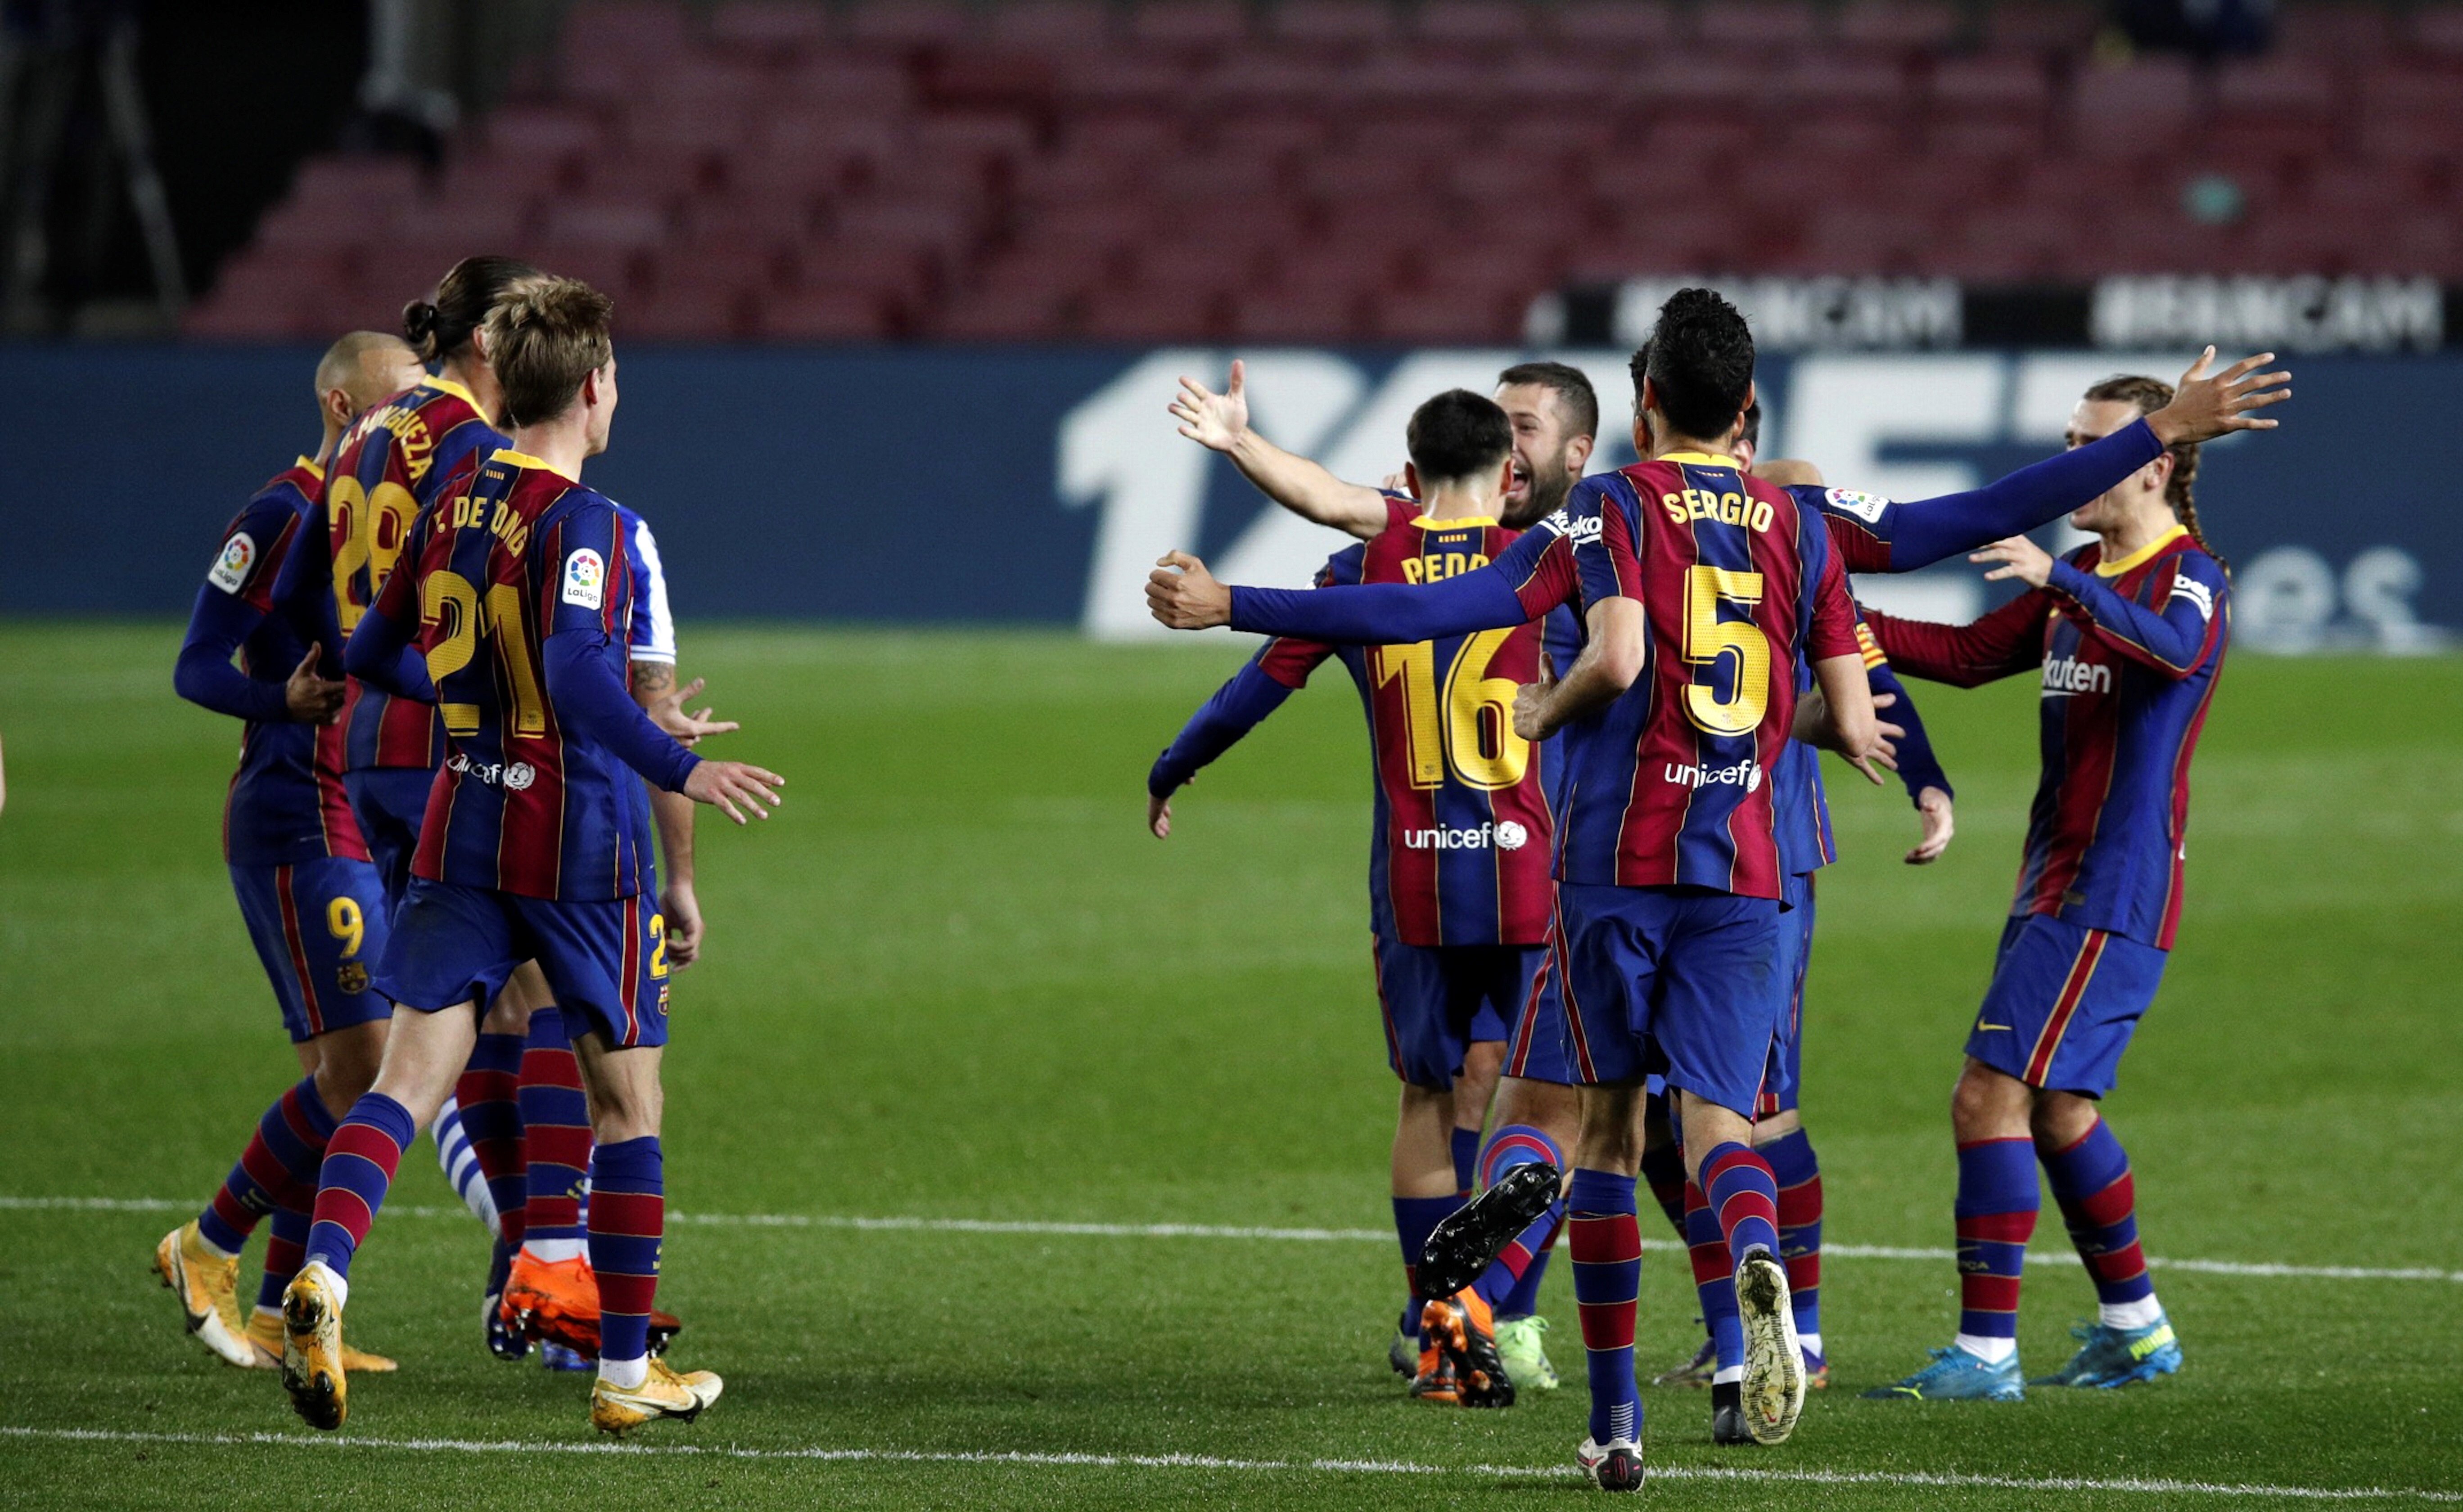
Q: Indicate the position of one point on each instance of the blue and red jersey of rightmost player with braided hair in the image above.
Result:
(2129, 656)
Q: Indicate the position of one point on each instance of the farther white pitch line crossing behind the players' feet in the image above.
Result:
(1065, 1230)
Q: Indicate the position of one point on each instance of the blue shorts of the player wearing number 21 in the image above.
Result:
(605, 959)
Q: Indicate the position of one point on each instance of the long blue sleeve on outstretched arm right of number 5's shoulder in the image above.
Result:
(1885, 536)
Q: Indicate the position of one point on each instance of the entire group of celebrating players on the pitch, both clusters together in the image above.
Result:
(462, 843)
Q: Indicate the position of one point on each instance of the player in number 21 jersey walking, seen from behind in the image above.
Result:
(518, 605)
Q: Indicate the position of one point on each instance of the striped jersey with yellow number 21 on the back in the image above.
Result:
(523, 804)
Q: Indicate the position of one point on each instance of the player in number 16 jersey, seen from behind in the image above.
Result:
(1459, 890)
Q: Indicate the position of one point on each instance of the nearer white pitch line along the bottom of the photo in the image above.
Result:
(1095, 1462)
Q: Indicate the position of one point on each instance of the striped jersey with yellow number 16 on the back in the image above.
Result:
(1462, 843)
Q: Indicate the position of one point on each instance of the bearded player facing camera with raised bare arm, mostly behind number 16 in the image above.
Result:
(1555, 420)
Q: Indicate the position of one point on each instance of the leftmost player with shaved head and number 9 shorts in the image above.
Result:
(307, 888)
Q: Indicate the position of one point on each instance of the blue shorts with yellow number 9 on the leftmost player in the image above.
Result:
(319, 927)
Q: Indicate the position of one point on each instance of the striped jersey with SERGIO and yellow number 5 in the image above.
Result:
(1671, 784)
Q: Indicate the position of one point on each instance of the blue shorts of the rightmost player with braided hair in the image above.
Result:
(2065, 1003)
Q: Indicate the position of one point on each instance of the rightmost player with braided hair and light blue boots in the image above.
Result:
(2129, 639)
